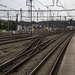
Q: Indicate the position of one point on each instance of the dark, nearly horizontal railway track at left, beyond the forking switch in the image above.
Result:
(16, 38)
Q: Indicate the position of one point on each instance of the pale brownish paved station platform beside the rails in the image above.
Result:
(67, 66)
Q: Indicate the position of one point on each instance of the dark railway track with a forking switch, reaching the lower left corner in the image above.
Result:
(24, 55)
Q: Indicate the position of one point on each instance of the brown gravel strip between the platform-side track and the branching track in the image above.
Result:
(29, 65)
